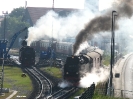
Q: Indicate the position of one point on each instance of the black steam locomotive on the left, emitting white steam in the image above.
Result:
(26, 55)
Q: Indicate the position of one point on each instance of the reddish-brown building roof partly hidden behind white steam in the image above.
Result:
(36, 12)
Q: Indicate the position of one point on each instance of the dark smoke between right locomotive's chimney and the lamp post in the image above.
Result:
(94, 26)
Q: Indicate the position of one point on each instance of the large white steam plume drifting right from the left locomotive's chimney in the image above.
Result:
(52, 25)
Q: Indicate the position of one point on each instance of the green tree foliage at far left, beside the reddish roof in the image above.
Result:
(13, 23)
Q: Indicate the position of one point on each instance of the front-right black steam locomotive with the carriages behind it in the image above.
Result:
(77, 66)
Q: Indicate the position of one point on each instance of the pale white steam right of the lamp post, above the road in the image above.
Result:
(124, 35)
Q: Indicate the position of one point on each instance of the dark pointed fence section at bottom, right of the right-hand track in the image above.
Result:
(88, 94)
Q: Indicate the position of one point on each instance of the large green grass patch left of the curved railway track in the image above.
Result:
(13, 75)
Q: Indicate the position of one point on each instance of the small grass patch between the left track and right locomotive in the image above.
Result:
(56, 72)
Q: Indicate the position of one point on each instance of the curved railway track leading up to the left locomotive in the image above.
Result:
(45, 86)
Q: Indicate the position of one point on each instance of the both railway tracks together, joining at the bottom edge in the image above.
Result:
(45, 87)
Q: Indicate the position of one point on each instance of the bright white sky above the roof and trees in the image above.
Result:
(9, 5)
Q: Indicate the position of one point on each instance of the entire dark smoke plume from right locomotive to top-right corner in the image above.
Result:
(103, 23)
